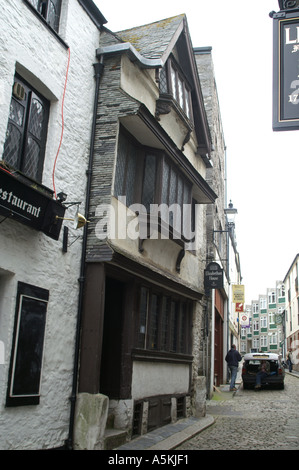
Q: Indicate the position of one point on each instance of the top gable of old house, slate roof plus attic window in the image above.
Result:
(166, 46)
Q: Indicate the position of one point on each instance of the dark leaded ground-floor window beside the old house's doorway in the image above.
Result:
(164, 322)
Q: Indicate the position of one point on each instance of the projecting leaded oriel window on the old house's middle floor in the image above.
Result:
(149, 177)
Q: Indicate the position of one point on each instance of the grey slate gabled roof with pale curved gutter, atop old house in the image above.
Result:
(150, 46)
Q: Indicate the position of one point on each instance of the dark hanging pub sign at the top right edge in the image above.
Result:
(286, 70)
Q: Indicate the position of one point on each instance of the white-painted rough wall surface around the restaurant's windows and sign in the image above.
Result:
(28, 47)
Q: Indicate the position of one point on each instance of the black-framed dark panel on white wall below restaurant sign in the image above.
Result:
(28, 345)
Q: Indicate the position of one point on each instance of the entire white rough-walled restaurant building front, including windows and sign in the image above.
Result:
(47, 98)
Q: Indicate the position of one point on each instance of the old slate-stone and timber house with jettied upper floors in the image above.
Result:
(143, 309)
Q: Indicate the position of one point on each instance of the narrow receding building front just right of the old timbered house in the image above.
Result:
(221, 323)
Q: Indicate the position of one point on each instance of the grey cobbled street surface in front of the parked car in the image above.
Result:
(252, 420)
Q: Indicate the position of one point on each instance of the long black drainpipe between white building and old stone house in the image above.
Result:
(98, 68)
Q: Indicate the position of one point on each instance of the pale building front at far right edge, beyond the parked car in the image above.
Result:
(292, 312)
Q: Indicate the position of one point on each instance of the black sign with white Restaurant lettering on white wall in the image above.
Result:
(29, 205)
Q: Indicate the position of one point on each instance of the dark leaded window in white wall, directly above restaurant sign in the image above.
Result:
(26, 133)
